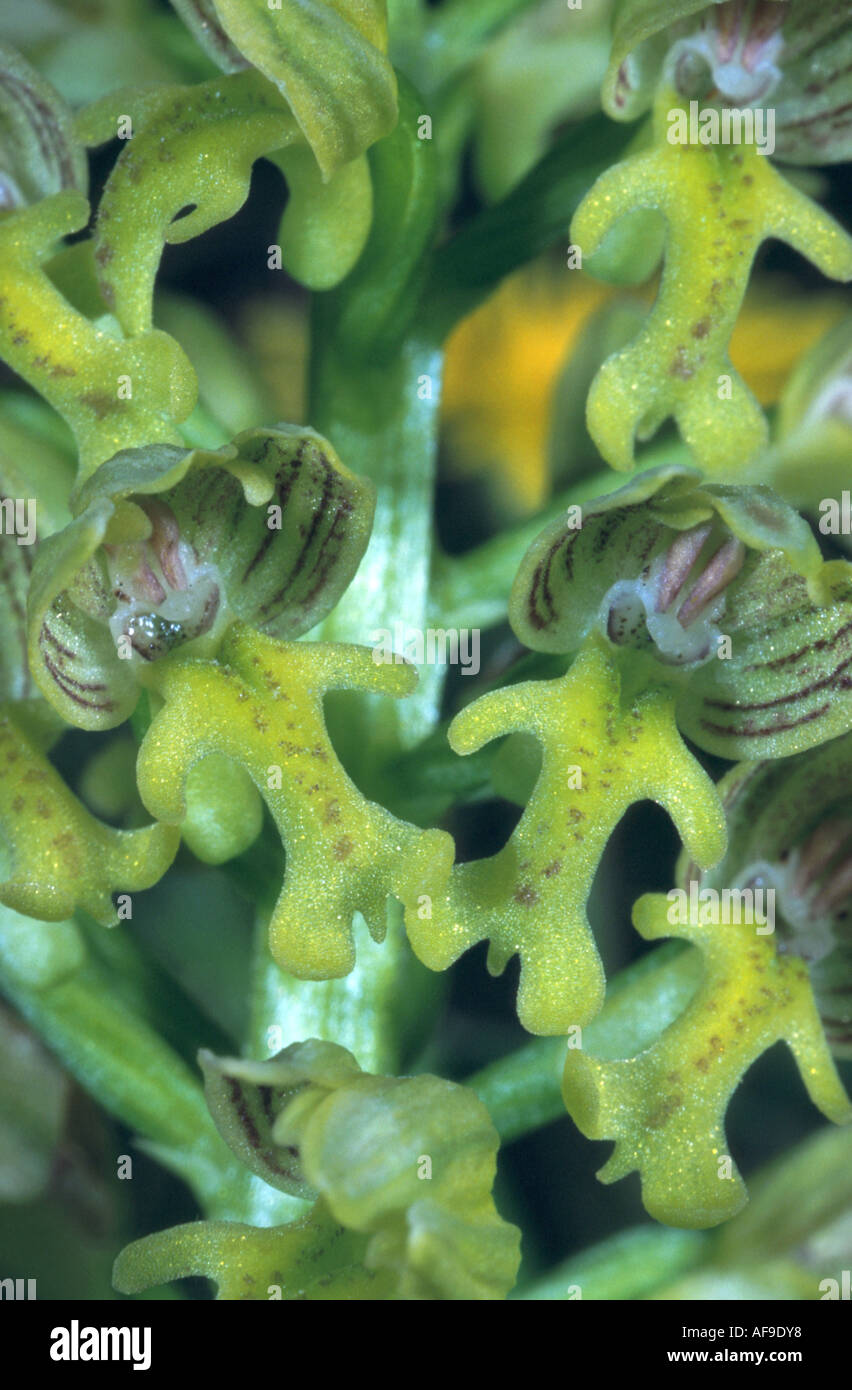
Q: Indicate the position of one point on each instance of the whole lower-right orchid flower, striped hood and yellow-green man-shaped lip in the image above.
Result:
(773, 924)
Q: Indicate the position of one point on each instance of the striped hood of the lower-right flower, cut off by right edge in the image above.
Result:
(790, 829)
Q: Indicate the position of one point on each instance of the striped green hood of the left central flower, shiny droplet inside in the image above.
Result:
(172, 546)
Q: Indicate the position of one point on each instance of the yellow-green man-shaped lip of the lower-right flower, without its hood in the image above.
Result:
(665, 1109)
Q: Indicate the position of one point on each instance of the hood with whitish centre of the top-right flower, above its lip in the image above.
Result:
(743, 52)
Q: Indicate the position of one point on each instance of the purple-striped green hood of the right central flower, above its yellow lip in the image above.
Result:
(721, 587)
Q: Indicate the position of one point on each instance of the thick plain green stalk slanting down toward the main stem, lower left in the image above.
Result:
(129, 1070)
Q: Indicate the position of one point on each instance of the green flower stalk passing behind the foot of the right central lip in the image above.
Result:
(523, 1090)
